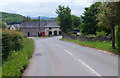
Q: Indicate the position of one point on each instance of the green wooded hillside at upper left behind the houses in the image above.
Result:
(11, 18)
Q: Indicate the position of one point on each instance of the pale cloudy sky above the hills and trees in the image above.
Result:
(36, 8)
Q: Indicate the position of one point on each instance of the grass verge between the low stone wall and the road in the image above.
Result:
(96, 44)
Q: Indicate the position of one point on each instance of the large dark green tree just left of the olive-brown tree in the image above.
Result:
(89, 19)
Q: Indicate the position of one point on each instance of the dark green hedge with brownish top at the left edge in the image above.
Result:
(11, 41)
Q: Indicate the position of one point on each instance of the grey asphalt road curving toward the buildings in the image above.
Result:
(53, 57)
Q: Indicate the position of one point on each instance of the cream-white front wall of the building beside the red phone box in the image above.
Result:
(49, 29)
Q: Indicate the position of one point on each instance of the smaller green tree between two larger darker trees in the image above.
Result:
(76, 21)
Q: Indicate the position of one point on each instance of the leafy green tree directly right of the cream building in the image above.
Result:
(64, 18)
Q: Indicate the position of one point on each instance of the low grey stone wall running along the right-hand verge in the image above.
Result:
(82, 38)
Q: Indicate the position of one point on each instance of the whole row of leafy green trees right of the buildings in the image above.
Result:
(100, 19)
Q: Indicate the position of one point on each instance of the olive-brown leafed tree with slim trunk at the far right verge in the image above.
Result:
(108, 16)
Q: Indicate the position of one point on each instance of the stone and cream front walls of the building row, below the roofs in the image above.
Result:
(33, 32)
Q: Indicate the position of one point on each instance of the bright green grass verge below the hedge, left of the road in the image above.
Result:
(17, 61)
